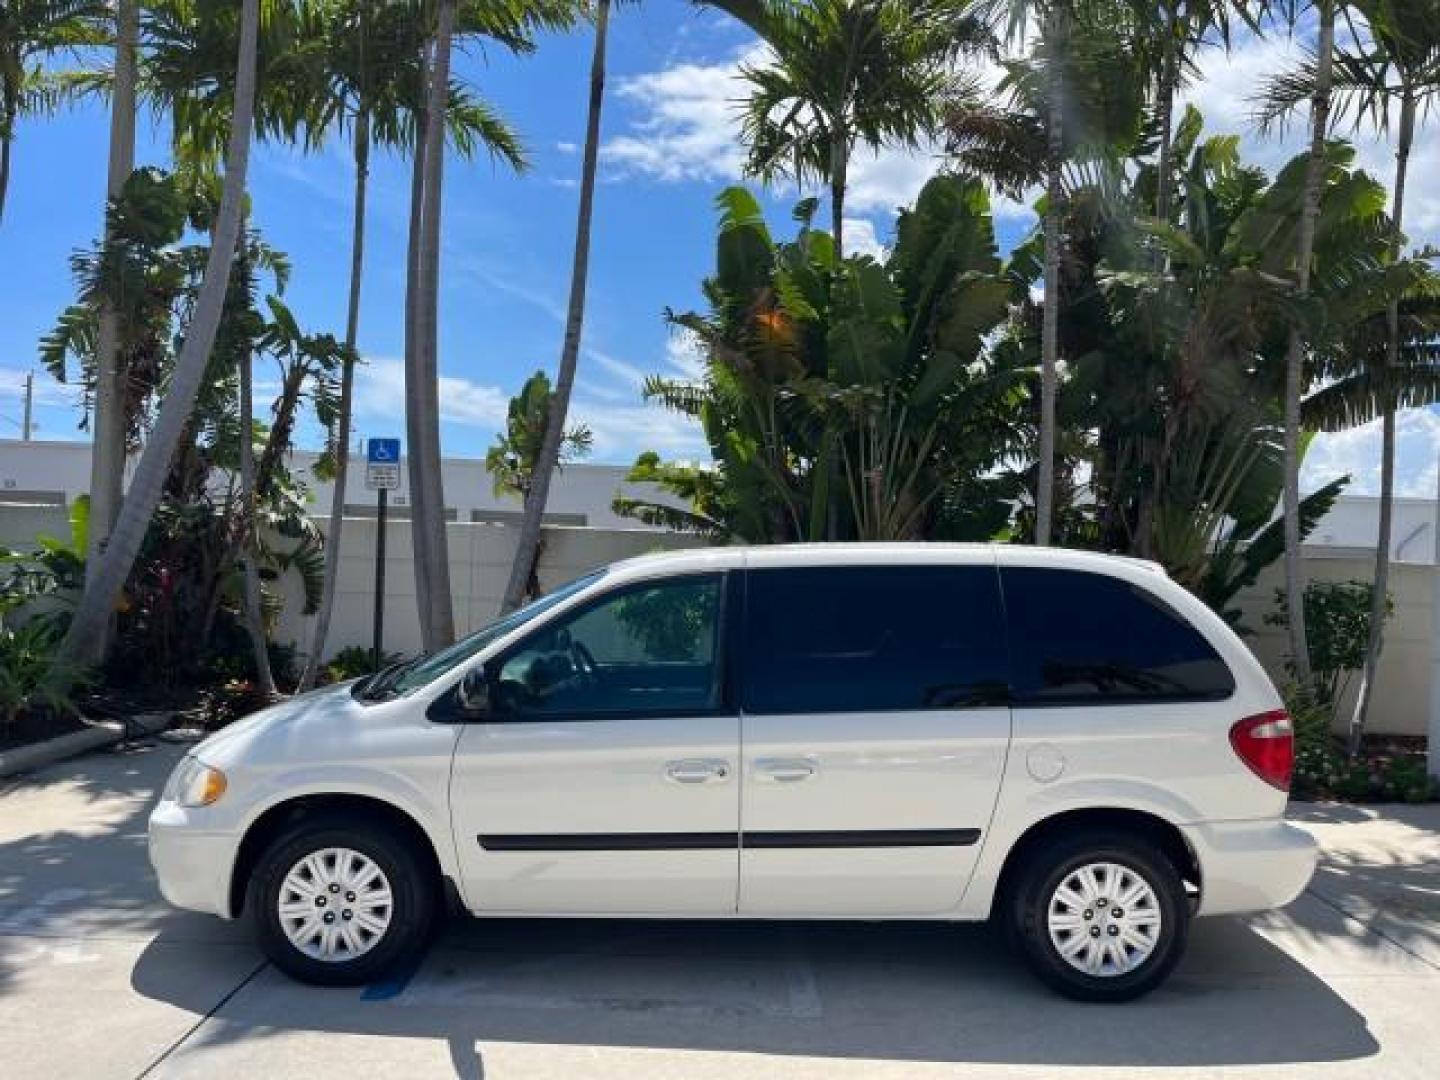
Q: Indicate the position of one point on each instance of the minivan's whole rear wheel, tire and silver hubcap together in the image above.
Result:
(1101, 917)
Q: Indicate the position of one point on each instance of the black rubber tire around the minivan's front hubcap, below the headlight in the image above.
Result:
(414, 894)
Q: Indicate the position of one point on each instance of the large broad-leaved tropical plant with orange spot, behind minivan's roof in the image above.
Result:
(850, 400)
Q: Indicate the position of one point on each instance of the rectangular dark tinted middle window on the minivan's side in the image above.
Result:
(836, 640)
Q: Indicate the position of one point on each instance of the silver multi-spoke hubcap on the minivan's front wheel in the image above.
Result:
(335, 905)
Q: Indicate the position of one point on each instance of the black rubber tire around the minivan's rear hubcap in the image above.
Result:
(1048, 869)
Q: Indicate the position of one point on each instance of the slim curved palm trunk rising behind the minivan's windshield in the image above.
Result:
(549, 459)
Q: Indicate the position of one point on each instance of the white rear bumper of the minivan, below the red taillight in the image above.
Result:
(1251, 866)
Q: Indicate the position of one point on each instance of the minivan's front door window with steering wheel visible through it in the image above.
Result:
(647, 650)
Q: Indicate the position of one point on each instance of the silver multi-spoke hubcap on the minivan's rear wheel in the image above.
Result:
(1105, 919)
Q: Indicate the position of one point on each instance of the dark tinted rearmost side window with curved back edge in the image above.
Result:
(1086, 639)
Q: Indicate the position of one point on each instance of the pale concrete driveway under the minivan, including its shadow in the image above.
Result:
(100, 980)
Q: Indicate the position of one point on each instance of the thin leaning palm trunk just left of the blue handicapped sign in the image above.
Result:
(348, 378)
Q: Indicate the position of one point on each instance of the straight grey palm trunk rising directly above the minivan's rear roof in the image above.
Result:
(1050, 318)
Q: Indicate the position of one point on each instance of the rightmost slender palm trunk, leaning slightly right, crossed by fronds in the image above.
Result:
(1387, 454)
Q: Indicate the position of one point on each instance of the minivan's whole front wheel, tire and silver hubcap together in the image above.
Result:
(341, 905)
